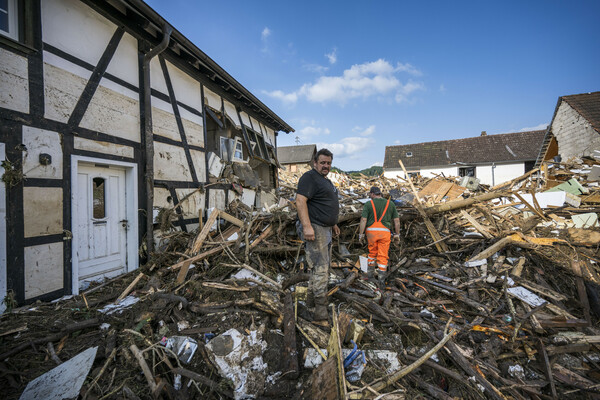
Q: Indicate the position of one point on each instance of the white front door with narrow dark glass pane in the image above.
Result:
(101, 222)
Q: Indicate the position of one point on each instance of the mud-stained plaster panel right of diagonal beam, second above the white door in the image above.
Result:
(113, 113)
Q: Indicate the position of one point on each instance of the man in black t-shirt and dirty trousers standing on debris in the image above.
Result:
(318, 209)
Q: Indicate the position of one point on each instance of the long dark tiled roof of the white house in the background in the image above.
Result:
(506, 147)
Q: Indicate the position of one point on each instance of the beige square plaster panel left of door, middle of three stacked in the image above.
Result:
(42, 209)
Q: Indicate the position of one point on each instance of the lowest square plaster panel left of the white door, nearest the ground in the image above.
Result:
(43, 269)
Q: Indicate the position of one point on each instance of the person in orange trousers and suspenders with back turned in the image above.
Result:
(377, 216)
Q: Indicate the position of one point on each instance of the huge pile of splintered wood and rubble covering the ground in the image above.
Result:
(492, 293)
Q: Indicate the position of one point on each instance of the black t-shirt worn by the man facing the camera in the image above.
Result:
(323, 203)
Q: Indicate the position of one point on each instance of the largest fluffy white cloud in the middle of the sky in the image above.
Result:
(377, 78)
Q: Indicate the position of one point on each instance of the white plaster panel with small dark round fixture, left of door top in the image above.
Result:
(40, 141)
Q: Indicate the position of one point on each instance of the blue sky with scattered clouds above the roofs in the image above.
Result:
(356, 76)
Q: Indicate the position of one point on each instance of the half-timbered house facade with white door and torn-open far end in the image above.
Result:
(107, 114)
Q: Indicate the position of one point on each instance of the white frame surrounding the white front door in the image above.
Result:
(131, 196)
